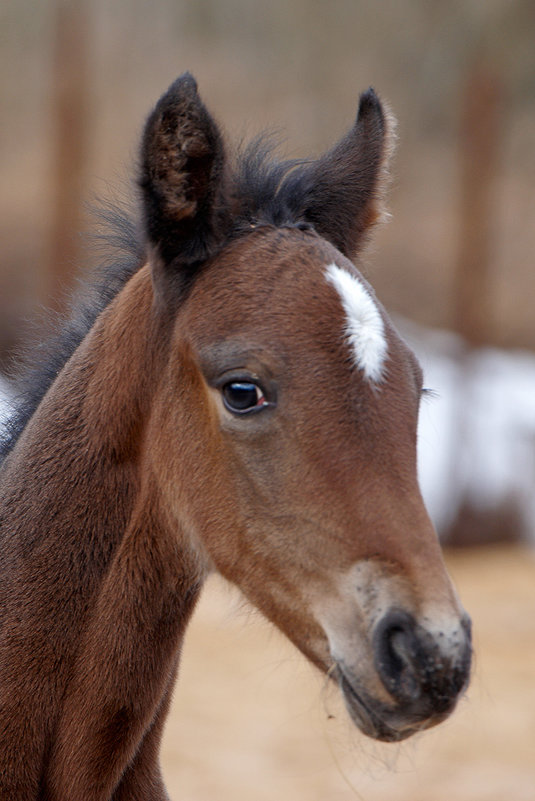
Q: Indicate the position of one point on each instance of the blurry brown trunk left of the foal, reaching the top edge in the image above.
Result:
(70, 118)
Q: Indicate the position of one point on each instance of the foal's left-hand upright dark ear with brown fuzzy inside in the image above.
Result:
(182, 166)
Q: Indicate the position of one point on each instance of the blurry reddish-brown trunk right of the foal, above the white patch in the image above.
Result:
(479, 154)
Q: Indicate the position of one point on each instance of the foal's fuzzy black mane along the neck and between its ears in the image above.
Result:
(263, 191)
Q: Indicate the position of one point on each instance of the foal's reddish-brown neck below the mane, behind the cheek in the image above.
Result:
(96, 587)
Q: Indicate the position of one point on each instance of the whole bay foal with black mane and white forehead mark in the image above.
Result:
(240, 402)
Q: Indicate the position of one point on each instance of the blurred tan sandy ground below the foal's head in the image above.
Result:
(251, 720)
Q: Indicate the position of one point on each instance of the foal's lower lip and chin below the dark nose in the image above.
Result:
(376, 719)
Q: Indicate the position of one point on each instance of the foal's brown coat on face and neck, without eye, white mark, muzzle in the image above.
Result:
(132, 481)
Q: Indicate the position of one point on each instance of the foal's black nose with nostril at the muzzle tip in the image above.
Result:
(420, 670)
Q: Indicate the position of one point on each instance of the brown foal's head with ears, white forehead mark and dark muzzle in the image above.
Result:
(283, 443)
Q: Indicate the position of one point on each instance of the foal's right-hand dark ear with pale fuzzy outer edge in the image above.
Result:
(341, 193)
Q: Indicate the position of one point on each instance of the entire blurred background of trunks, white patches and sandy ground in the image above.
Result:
(454, 264)
